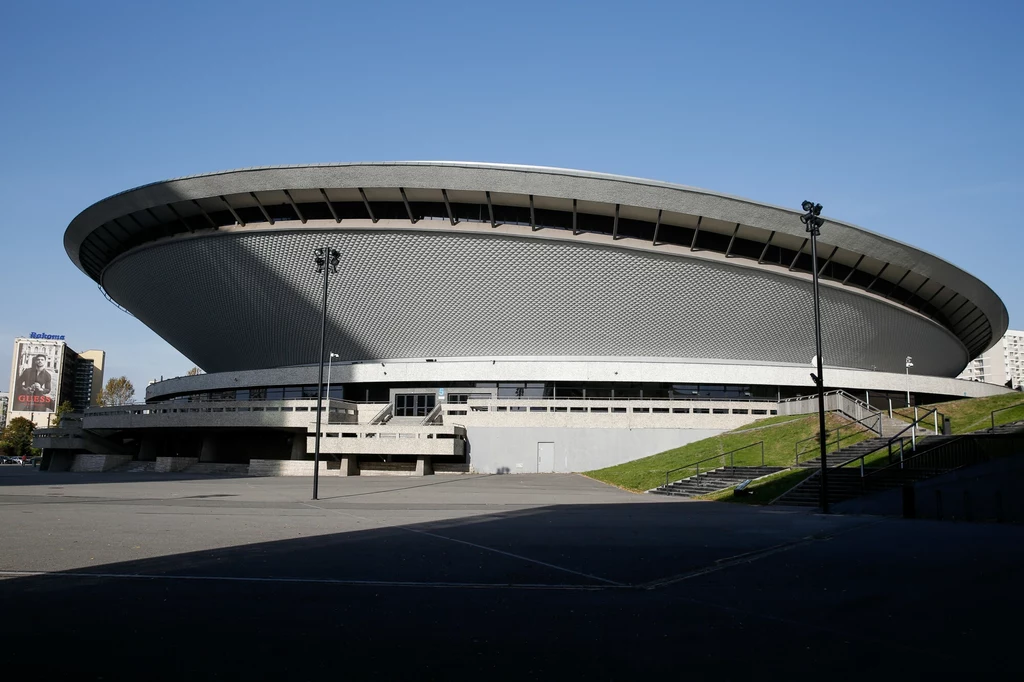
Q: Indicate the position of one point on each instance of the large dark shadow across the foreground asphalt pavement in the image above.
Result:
(595, 592)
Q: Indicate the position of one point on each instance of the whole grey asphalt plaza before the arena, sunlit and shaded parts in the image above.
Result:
(532, 577)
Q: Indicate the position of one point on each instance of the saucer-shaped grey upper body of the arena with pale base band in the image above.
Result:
(576, 276)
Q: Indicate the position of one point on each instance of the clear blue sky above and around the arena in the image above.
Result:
(905, 118)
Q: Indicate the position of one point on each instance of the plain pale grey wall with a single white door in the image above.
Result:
(515, 450)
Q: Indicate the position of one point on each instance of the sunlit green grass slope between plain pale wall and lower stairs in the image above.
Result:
(781, 438)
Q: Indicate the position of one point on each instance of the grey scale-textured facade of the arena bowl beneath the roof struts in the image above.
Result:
(249, 301)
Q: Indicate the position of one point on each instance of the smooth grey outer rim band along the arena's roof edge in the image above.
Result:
(544, 182)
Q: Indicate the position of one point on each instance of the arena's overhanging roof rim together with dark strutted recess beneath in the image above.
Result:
(438, 196)
